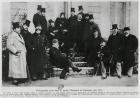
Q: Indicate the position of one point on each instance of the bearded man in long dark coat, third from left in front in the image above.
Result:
(38, 54)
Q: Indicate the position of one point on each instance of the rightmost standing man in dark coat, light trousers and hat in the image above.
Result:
(129, 48)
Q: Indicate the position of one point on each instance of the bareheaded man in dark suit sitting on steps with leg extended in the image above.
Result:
(61, 60)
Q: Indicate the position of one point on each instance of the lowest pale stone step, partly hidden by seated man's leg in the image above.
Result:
(86, 71)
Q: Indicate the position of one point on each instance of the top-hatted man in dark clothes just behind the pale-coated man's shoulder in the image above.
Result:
(27, 36)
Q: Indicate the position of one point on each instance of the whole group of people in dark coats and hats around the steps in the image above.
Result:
(29, 56)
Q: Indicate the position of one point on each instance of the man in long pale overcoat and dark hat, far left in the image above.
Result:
(17, 55)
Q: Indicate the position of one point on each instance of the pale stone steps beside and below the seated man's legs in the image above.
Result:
(80, 63)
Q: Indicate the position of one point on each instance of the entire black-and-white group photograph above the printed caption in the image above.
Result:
(69, 43)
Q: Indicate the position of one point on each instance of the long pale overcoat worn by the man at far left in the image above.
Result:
(17, 64)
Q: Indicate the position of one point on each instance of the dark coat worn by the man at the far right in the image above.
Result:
(129, 48)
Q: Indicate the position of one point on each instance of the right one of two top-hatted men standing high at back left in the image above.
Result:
(43, 22)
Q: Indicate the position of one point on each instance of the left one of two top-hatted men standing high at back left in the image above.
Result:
(37, 17)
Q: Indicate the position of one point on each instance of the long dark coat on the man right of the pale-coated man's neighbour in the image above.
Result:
(38, 58)
